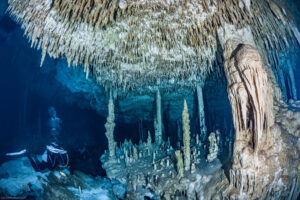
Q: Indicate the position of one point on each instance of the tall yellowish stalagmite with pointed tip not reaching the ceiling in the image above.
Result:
(186, 137)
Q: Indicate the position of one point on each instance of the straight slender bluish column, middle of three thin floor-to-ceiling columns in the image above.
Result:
(158, 120)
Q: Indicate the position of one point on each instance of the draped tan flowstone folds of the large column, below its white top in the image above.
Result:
(248, 81)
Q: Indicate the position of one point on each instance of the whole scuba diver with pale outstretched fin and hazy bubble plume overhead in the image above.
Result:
(54, 157)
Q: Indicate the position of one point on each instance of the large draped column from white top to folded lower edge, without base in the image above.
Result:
(248, 87)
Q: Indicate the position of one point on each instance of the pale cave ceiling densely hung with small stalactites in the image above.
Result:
(146, 41)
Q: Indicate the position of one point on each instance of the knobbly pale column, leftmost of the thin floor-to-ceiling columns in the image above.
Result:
(110, 126)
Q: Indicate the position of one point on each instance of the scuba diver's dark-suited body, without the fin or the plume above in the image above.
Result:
(53, 157)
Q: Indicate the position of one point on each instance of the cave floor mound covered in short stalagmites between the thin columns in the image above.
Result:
(156, 172)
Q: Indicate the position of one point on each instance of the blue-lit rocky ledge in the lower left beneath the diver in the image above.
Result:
(20, 181)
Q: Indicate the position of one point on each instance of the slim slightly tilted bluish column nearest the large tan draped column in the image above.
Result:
(201, 113)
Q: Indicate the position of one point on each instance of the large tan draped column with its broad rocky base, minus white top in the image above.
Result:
(263, 152)
